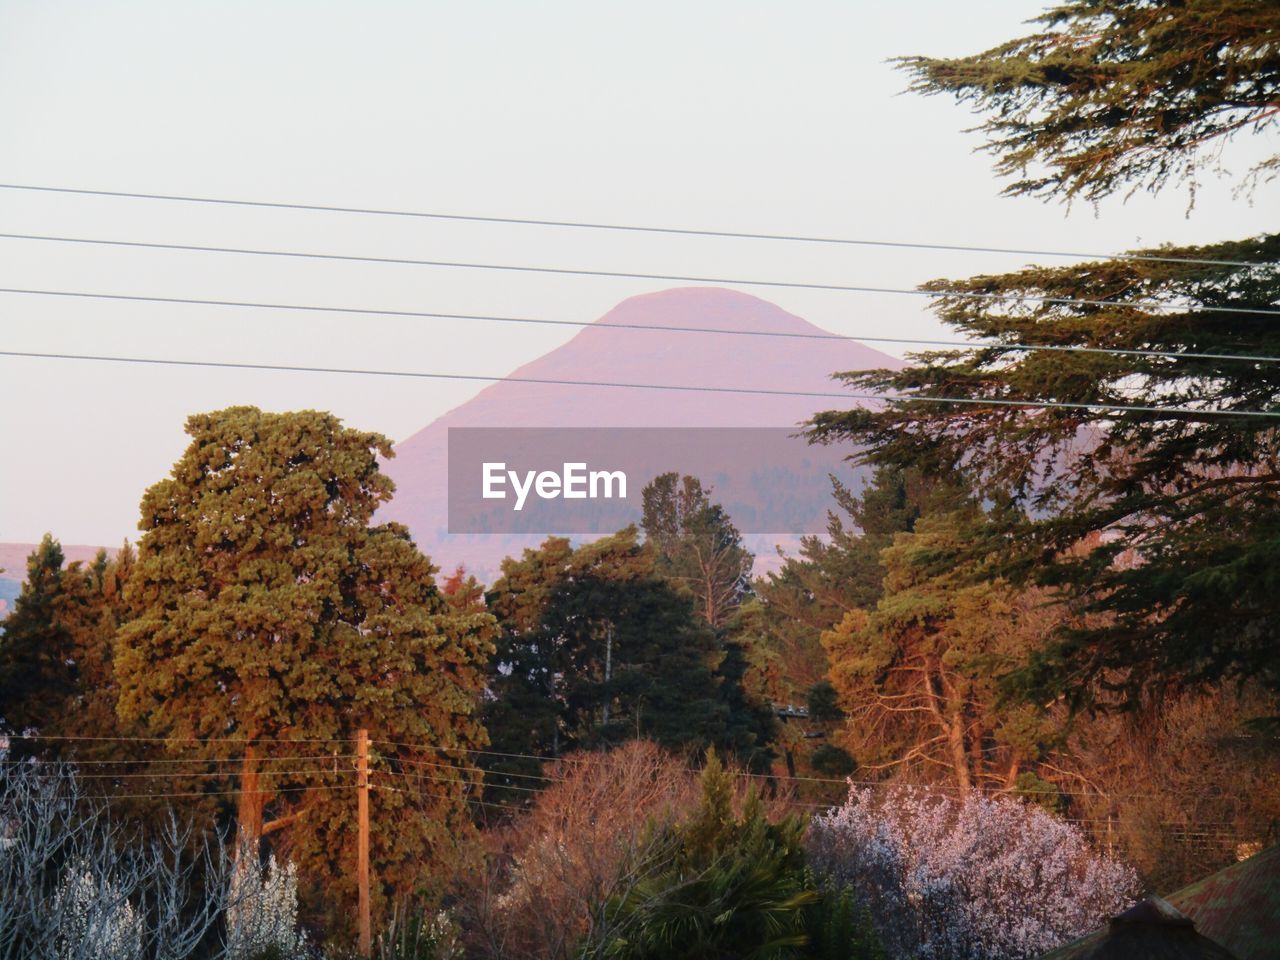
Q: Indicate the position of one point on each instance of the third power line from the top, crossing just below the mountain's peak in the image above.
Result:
(785, 335)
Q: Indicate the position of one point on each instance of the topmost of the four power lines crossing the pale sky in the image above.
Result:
(623, 228)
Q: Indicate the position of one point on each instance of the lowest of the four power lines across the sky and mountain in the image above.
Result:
(687, 388)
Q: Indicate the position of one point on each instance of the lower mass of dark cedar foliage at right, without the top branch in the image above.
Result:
(1163, 529)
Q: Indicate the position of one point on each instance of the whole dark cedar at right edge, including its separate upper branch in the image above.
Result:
(1158, 523)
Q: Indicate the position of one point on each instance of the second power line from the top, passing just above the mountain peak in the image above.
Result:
(628, 276)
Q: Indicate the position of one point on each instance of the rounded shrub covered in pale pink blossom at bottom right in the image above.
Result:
(976, 877)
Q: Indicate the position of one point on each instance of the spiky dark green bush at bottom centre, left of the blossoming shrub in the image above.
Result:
(723, 885)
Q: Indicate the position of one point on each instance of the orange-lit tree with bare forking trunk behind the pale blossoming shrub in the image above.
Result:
(917, 675)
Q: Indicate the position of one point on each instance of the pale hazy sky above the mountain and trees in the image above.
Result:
(732, 116)
